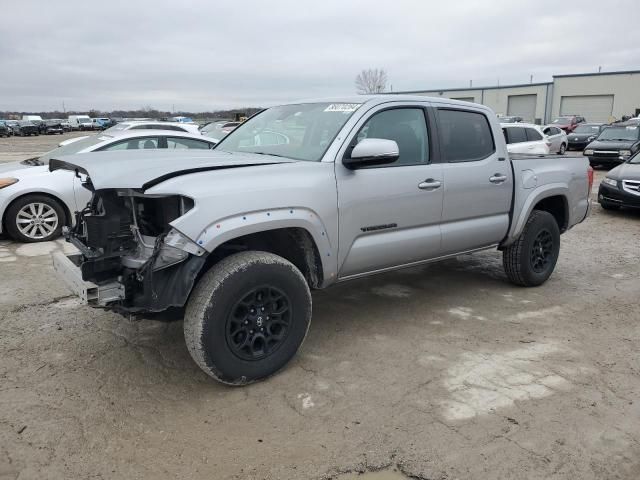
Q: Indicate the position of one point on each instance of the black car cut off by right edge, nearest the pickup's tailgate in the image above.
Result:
(621, 186)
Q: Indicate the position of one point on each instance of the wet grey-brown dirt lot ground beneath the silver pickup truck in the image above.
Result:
(441, 372)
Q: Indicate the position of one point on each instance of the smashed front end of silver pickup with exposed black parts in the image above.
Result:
(131, 260)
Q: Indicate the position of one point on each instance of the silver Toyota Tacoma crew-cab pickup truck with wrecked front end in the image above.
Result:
(303, 196)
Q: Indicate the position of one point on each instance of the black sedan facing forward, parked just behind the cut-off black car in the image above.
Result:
(614, 145)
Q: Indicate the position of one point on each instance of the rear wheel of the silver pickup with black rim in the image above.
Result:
(530, 261)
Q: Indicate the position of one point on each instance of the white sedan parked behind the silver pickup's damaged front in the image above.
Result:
(36, 203)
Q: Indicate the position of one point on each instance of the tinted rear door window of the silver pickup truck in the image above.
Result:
(465, 136)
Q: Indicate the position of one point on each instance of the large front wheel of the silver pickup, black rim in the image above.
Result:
(247, 317)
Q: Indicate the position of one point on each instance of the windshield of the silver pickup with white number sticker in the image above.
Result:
(301, 132)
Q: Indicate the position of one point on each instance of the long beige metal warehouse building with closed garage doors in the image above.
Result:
(599, 97)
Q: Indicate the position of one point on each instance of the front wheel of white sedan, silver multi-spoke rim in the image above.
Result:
(35, 218)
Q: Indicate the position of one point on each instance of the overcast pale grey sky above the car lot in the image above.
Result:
(204, 55)
